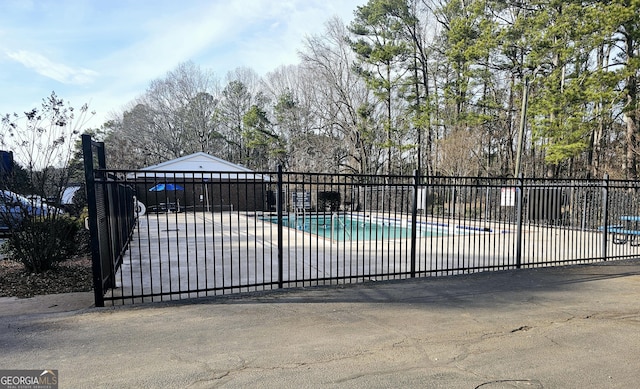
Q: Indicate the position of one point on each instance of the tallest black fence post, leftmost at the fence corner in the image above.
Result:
(96, 262)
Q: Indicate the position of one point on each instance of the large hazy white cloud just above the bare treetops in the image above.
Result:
(221, 36)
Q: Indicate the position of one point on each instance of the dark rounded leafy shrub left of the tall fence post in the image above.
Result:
(40, 243)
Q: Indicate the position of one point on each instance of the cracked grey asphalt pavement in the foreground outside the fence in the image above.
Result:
(563, 327)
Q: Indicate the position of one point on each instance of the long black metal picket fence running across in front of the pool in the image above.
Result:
(193, 234)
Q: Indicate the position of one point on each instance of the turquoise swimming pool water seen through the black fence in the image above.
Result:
(354, 227)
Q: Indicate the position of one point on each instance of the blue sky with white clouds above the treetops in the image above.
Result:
(106, 53)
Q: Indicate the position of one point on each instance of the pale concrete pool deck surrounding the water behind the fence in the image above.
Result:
(173, 256)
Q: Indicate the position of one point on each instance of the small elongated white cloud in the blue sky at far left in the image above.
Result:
(56, 71)
